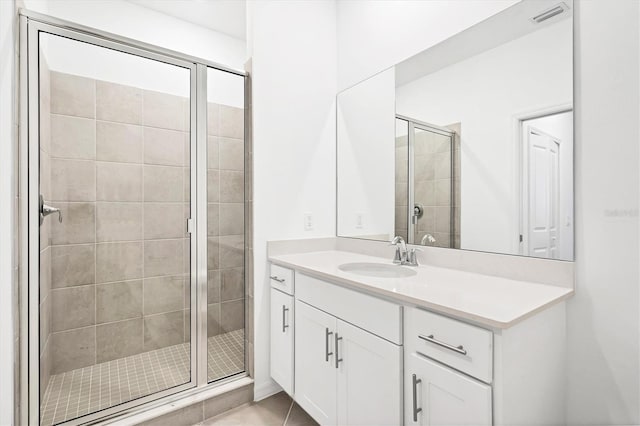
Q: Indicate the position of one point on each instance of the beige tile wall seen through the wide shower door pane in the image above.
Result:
(120, 260)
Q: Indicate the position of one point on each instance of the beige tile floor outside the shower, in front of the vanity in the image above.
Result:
(278, 410)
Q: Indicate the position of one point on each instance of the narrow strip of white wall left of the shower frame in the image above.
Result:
(7, 195)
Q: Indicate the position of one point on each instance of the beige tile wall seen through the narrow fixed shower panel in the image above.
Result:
(226, 211)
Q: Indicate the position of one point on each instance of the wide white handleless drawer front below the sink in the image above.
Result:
(375, 315)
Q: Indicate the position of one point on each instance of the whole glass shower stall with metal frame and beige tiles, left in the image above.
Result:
(133, 174)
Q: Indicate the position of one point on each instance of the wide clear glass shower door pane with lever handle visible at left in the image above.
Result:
(115, 252)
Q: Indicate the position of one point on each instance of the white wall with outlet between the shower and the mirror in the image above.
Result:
(293, 48)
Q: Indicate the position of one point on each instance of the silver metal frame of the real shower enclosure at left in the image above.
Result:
(31, 25)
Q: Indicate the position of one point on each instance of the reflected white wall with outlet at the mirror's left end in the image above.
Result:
(366, 158)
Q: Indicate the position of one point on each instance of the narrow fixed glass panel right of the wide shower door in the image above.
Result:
(226, 225)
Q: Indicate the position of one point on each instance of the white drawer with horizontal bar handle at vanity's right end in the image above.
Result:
(462, 346)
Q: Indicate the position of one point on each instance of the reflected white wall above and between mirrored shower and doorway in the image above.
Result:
(485, 93)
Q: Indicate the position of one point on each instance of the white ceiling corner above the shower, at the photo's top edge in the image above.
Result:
(225, 16)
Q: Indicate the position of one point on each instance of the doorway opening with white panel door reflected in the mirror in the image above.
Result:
(546, 208)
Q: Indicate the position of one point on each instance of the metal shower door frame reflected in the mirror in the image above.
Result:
(412, 125)
